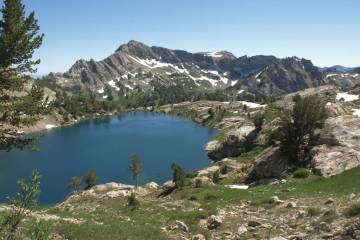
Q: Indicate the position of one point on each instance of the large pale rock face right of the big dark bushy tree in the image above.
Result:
(339, 146)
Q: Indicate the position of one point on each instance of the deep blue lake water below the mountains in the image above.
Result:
(106, 146)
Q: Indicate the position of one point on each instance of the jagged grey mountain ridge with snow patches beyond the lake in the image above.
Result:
(137, 67)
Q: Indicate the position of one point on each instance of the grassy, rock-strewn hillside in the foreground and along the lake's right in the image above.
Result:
(276, 203)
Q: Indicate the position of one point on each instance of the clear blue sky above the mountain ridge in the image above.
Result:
(325, 31)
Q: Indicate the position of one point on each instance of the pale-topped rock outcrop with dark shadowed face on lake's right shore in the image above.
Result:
(236, 142)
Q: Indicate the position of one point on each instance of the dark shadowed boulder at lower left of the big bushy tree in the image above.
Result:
(272, 164)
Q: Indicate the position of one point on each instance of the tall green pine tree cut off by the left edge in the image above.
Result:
(20, 103)
